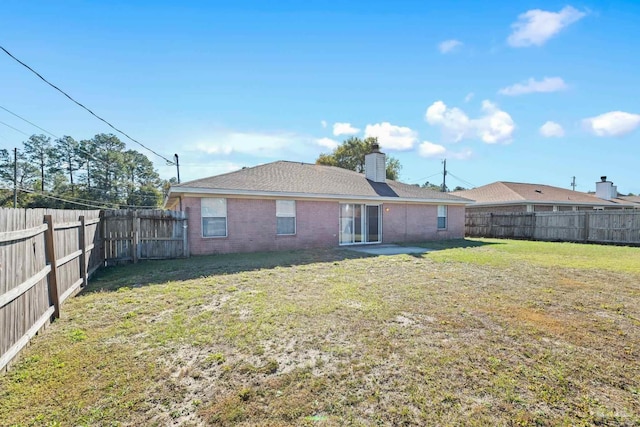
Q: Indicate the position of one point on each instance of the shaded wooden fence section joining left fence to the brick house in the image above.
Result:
(131, 235)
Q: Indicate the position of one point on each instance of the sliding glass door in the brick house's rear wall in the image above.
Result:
(360, 223)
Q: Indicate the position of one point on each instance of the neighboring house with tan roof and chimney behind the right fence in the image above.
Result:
(517, 197)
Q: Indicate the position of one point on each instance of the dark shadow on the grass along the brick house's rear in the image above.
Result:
(153, 272)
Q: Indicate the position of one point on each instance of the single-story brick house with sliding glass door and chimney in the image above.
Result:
(290, 205)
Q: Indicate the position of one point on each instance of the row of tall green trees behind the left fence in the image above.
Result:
(68, 174)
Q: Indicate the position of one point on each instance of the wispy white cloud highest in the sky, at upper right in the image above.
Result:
(536, 26)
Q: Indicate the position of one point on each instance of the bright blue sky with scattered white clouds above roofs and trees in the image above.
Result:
(513, 91)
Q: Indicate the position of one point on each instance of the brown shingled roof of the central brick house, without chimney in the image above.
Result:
(305, 180)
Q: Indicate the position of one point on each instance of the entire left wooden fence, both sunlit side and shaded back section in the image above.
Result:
(46, 256)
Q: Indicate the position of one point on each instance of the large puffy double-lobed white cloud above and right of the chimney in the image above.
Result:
(493, 126)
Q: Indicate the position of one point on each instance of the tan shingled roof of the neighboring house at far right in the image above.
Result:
(512, 193)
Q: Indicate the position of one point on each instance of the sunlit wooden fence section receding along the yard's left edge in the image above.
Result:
(45, 257)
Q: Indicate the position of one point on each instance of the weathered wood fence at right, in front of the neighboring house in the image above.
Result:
(619, 227)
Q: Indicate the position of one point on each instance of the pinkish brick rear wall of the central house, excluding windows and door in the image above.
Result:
(251, 225)
